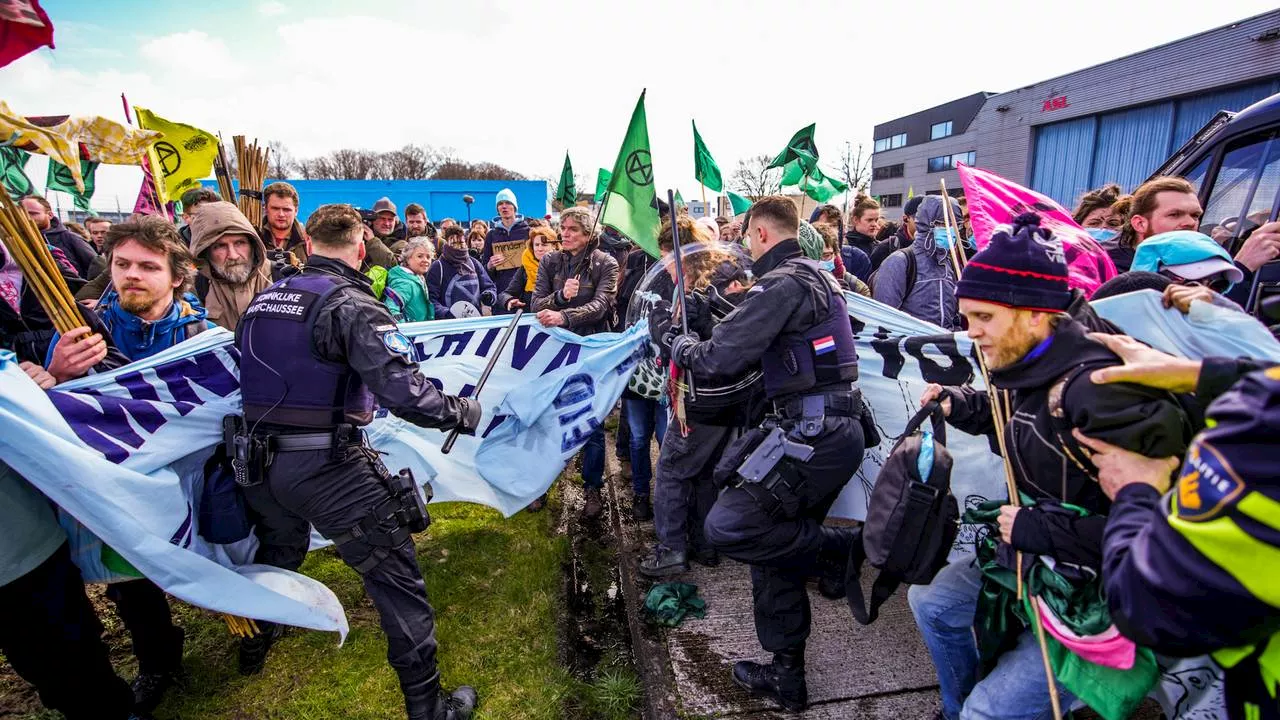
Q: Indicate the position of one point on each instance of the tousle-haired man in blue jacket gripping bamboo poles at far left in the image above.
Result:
(147, 312)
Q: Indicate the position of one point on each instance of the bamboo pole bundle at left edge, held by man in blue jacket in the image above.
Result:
(40, 271)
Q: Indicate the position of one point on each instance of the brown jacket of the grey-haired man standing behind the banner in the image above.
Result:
(592, 309)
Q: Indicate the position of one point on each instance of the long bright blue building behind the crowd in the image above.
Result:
(442, 199)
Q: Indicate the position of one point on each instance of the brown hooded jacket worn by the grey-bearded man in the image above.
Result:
(226, 302)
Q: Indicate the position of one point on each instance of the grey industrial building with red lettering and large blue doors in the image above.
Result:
(1114, 122)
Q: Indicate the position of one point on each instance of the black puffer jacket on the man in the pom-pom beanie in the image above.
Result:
(1132, 417)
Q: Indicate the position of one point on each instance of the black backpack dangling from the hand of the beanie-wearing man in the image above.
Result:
(912, 521)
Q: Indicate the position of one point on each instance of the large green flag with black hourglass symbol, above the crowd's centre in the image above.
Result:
(630, 204)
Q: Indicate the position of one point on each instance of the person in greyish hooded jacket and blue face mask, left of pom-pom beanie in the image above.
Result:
(920, 280)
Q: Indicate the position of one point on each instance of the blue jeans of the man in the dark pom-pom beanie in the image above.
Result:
(1016, 690)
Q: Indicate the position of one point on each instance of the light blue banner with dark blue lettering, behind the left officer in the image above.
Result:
(124, 453)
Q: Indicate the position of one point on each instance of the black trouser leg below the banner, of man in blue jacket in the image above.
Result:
(144, 609)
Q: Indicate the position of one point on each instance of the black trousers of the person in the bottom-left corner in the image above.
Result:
(54, 640)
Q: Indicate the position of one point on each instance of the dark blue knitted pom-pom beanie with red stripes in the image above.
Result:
(1022, 267)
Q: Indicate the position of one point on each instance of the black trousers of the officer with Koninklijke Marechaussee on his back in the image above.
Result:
(310, 489)
